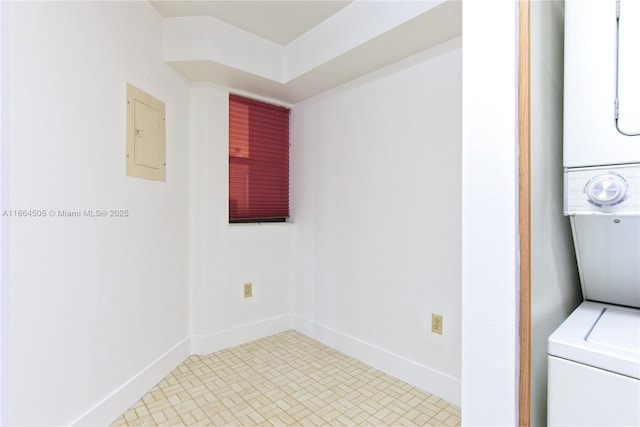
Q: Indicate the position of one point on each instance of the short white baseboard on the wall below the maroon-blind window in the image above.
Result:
(226, 338)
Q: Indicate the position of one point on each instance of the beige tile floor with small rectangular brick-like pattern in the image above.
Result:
(286, 379)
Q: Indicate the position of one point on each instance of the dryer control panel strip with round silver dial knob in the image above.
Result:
(602, 190)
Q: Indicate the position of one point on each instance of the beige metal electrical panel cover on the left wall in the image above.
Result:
(146, 148)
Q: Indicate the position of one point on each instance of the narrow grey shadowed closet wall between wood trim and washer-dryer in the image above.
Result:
(555, 286)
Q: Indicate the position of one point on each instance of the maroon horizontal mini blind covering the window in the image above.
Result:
(258, 161)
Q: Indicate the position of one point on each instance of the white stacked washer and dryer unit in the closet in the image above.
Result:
(594, 356)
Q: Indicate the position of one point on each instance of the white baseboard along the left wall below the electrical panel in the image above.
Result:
(121, 399)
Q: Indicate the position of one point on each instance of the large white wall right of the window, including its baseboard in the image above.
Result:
(376, 191)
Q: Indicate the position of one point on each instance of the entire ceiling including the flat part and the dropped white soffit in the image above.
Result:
(291, 50)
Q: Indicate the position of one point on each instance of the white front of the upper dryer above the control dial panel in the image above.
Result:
(590, 80)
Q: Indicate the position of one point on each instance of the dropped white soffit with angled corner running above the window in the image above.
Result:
(360, 38)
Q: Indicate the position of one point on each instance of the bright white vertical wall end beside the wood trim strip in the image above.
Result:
(489, 214)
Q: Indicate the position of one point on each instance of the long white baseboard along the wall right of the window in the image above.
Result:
(430, 380)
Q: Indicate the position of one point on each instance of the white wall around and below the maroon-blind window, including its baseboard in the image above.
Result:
(224, 256)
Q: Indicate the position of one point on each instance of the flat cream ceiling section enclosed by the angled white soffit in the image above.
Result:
(278, 21)
